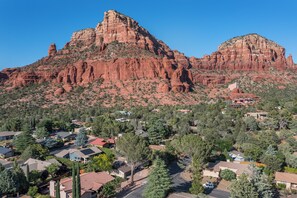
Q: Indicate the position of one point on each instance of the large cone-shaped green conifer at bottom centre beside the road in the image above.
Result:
(158, 182)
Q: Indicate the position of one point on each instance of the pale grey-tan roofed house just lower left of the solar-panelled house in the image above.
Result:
(38, 165)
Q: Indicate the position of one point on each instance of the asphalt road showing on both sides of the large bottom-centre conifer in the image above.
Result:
(178, 183)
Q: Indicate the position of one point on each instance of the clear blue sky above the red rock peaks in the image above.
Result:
(195, 27)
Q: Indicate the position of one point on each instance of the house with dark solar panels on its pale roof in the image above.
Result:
(80, 155)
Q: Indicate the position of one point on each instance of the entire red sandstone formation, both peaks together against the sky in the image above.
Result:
(119, 49)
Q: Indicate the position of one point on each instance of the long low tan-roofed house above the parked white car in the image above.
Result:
(213, 169)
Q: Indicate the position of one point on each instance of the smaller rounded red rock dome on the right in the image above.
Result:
(249, 52)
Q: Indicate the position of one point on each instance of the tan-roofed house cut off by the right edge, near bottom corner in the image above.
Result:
(289, 179)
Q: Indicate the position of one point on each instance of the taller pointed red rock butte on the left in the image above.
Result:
(117, 49)
